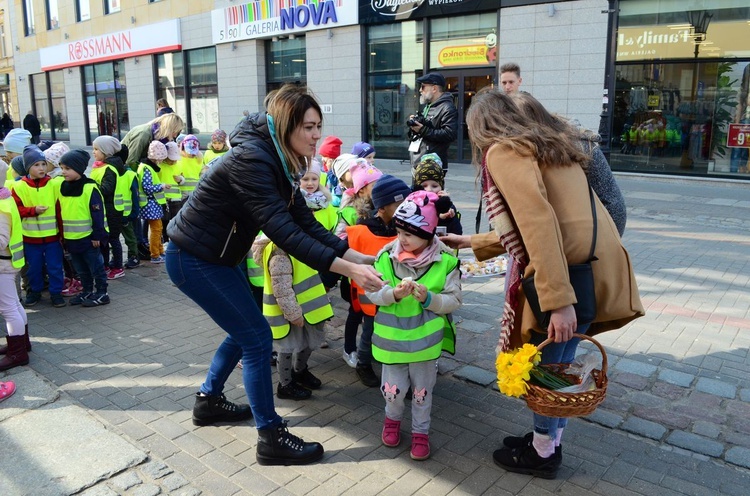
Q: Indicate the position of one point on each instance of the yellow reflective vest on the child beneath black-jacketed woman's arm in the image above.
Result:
(308, 290)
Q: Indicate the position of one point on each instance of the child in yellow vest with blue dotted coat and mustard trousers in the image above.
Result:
(151, 191)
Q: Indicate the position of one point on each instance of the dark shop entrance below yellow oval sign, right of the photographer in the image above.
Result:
(463, 85)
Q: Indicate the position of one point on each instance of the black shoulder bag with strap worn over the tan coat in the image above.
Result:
(582, 280)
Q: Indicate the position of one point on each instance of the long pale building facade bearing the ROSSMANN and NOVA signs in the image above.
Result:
(93, 67)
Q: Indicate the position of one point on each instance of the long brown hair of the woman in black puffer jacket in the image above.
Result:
(287, 107)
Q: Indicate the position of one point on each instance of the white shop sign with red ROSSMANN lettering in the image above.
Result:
(154, 38)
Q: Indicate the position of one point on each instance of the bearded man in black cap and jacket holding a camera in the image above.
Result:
(436, 127)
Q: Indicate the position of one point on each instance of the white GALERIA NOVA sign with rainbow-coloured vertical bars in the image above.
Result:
(267, 18)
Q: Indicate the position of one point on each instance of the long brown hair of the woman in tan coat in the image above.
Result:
(495, 119)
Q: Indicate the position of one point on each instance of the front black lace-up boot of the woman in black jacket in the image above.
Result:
(277, 446)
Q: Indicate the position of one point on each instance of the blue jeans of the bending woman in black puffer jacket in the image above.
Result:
(224, 294)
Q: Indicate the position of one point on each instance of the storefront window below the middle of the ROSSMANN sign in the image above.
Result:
(106, 100)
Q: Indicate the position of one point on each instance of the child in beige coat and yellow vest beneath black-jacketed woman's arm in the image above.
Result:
(296, 307)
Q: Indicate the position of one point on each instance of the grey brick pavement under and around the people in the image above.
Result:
(674, 421)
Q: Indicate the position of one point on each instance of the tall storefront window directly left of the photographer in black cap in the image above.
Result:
(394, 61)
